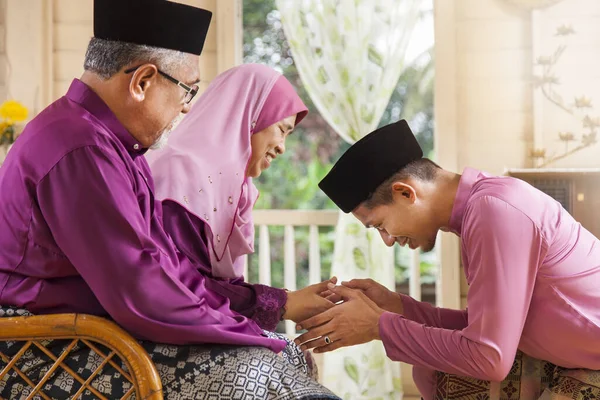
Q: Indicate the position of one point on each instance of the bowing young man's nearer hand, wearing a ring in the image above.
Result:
(354, 322)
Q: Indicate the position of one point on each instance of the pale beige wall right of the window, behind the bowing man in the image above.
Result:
(488, 113)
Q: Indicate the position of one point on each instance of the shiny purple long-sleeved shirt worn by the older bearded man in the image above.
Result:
(80, 231)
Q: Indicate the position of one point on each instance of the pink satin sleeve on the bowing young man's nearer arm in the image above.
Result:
(503, 248)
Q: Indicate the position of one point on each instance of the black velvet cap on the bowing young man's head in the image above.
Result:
(368, 163)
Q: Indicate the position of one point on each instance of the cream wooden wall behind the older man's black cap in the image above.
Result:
(46, 42)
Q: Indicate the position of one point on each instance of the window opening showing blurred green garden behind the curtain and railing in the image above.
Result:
(314, 146)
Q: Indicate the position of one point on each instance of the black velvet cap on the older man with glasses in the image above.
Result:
(157, 23)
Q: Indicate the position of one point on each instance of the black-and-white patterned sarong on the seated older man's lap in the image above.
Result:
(187, 372)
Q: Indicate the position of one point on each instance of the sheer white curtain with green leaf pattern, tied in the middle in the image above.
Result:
(350, 54)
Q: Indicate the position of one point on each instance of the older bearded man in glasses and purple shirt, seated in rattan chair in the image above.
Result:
(81, 231)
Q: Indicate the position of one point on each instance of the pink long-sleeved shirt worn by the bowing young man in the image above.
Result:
(534, 276)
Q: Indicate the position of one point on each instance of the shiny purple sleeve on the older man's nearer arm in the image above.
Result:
(94, 216)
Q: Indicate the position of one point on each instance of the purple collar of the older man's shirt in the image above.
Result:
(83, 95)
